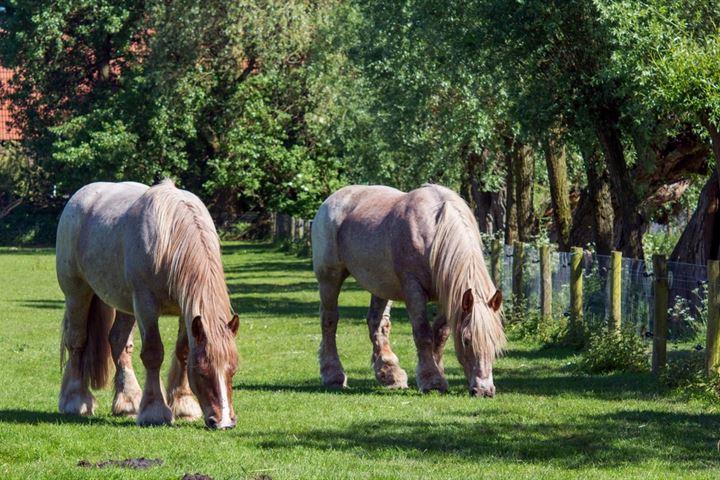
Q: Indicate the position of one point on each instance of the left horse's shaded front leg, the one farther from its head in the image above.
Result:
(154, 409)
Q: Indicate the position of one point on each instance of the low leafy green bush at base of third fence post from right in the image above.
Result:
(623, 351)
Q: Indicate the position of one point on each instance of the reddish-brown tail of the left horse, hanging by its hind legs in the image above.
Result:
(96, 360)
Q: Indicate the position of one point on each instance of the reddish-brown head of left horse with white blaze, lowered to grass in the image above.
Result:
(210, 376)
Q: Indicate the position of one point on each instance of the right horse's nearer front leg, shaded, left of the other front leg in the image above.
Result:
(429, 375)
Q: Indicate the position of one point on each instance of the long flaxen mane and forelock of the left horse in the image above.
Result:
(187, 247)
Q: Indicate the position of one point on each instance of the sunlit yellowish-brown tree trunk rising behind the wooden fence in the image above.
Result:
(557, 175)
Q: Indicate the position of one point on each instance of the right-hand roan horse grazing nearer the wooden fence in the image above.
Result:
(416, 247)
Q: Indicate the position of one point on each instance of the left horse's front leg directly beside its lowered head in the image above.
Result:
(182, 401)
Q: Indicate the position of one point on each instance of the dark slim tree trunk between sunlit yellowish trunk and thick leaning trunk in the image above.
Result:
(598, 191)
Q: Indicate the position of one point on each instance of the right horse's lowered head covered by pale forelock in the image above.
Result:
(478, 336)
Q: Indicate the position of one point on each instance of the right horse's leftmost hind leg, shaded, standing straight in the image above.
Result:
(331, 370)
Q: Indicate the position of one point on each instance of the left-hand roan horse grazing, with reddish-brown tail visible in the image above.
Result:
(126, 252)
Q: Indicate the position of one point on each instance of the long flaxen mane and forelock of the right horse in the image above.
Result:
(457, 264)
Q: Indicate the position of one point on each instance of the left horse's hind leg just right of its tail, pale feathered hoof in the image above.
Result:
(127, 390)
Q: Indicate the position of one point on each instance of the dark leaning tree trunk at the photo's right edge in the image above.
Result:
(700, 241)
